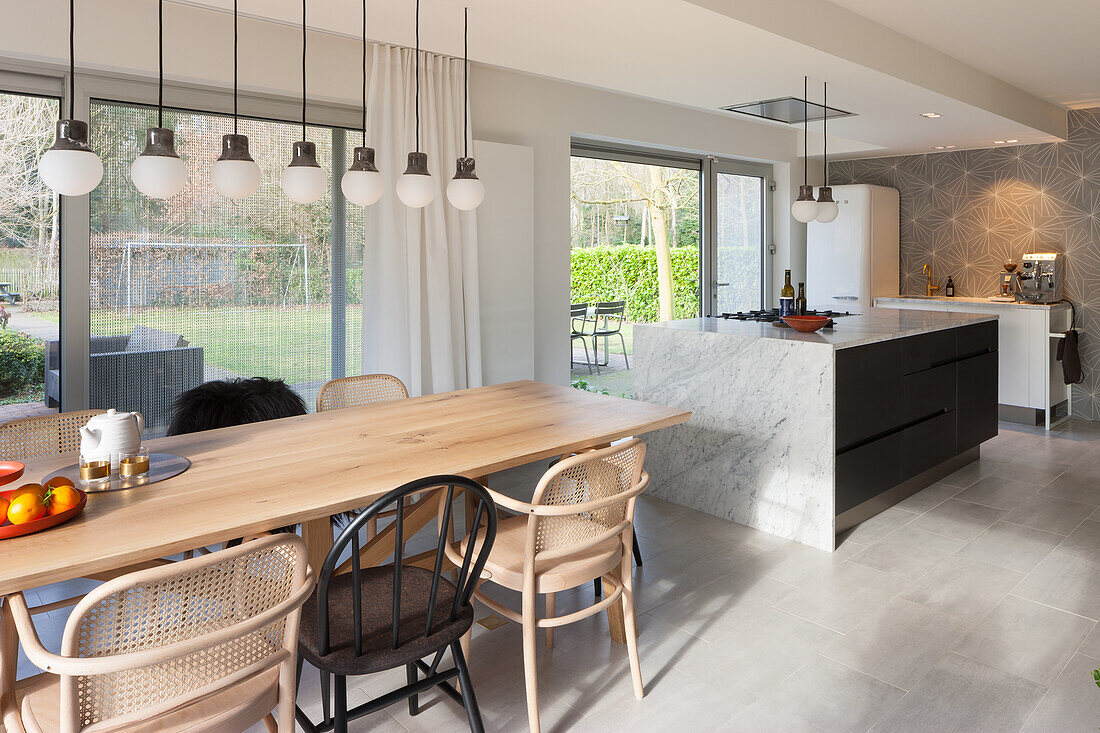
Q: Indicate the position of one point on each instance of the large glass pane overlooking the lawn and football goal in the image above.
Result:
(199, 288)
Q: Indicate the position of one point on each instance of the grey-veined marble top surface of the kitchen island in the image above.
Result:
(879, 325)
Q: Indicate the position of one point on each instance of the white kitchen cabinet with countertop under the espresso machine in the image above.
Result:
(1030, 384)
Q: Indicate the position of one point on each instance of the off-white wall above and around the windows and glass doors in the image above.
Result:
(508, 107)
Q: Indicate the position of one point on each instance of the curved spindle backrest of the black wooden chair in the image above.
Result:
(474, 562)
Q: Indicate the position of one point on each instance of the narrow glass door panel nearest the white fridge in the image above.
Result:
(740, 236)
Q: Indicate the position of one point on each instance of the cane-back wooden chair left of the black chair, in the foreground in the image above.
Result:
(206, 644)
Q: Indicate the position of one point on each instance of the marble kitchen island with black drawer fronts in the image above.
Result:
(805, 435)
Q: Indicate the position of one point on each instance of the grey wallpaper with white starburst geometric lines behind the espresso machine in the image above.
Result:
(969, 212)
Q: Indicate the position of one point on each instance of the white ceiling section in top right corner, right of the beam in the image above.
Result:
(1050, 49)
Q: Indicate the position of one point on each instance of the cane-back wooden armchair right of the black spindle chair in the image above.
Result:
(578, 528)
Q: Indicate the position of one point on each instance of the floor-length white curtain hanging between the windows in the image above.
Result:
(421, 308)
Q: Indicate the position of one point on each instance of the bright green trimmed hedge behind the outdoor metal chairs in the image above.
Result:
(629, 272)
